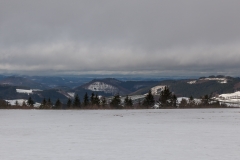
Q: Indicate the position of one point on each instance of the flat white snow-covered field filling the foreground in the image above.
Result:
(186, 134)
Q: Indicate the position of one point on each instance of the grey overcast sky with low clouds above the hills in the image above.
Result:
(136, 37)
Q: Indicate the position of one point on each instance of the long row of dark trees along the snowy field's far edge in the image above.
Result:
(167, 99)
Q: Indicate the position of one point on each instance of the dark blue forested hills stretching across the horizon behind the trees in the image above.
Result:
(64, 88)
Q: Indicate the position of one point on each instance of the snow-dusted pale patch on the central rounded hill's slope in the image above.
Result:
(101, 86)
